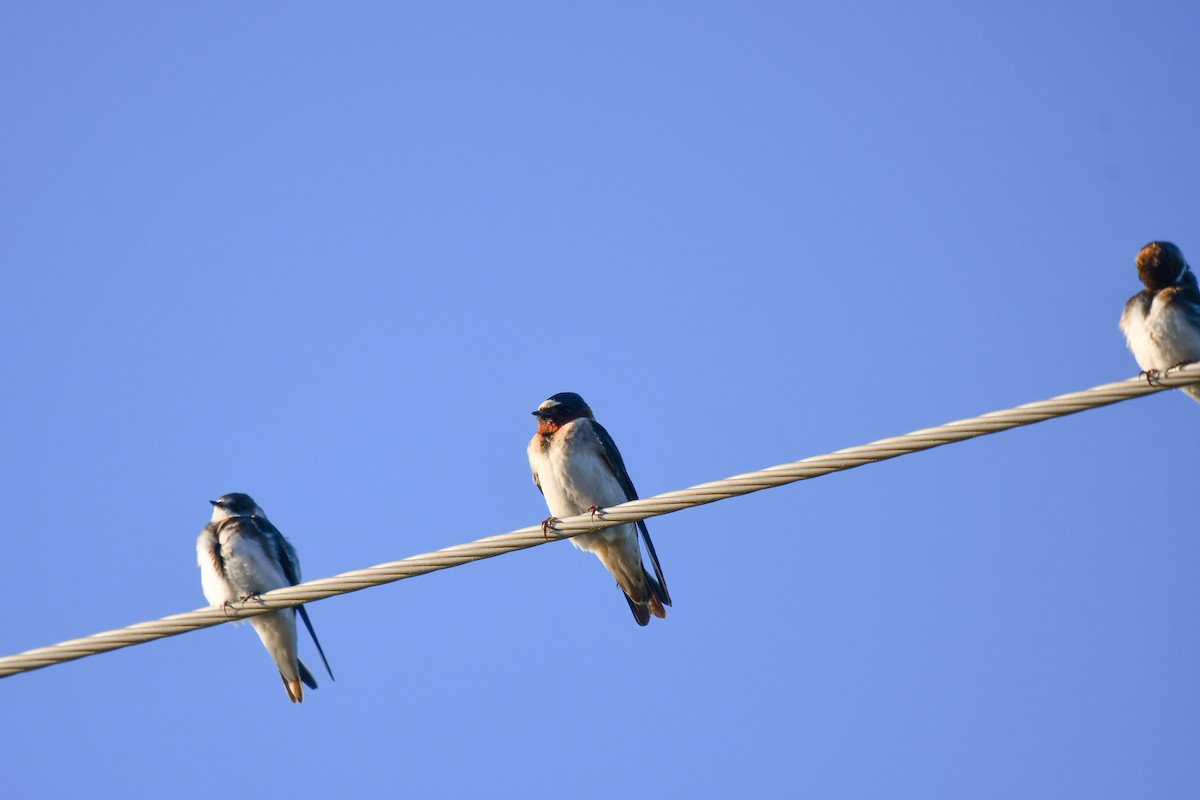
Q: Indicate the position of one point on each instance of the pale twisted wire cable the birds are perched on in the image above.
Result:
(632, 512)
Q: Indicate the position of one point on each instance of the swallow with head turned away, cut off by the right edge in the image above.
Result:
(1162, 322)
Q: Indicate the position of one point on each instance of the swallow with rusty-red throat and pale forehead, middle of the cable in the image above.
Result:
(578, 468)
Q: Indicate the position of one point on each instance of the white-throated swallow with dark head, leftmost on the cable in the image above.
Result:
(242, 555)
